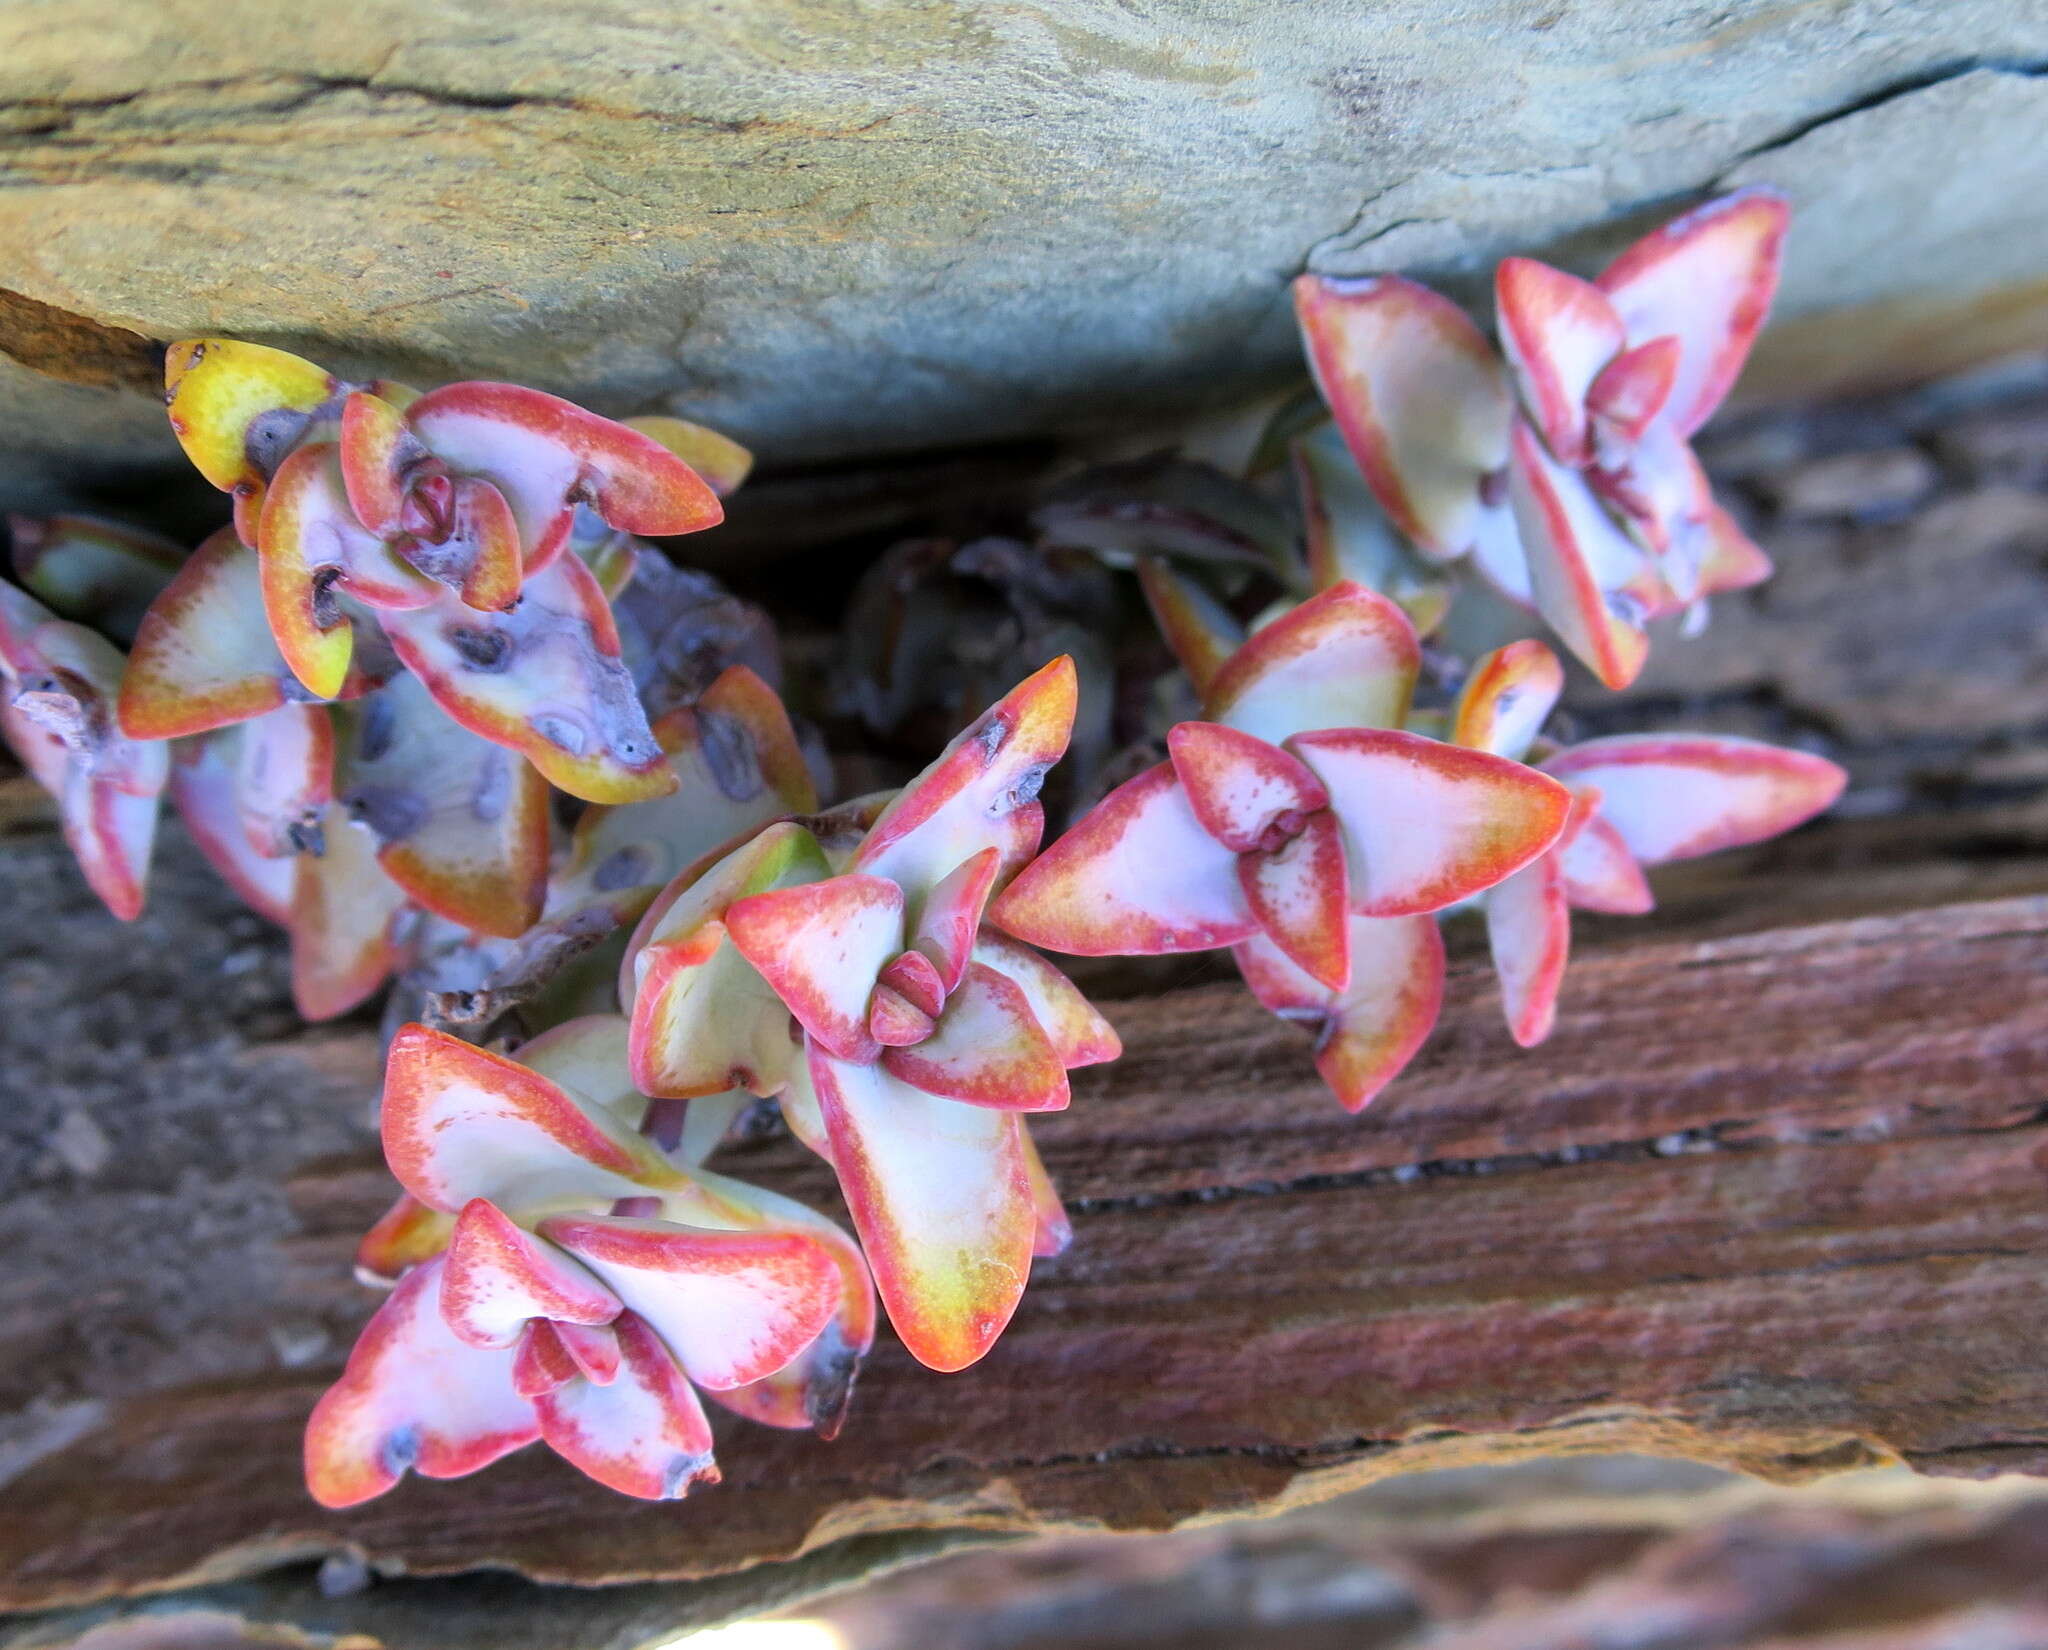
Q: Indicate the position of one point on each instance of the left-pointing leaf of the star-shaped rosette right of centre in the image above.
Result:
(1136, 877)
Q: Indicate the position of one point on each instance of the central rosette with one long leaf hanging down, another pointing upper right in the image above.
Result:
(849, 973)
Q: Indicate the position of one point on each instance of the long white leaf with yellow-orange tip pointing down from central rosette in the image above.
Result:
(941, 1197)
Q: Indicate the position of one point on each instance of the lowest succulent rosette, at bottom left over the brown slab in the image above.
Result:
(562, 1278)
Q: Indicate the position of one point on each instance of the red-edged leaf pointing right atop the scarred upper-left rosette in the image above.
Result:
(548, 455)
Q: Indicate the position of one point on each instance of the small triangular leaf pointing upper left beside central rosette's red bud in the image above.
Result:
(822, 949)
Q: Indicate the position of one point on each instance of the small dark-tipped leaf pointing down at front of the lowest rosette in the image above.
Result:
(644, 1434)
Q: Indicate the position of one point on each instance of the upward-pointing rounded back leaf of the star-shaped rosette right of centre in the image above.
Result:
(1345, 658)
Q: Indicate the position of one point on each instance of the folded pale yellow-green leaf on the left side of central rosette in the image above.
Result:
(703, 1018)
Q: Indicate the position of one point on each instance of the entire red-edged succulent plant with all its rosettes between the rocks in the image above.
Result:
(435, 609)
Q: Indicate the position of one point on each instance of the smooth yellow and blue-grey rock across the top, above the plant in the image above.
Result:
(853, 228)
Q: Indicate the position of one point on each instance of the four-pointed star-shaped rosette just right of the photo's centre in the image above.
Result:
(1302, 826)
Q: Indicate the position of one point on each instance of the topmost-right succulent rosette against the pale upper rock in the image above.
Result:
(1562, 464)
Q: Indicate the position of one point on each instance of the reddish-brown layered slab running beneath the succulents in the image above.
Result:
(1770, 1201)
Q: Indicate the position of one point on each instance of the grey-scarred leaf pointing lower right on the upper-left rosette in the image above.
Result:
(542, 681)
